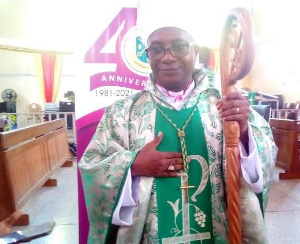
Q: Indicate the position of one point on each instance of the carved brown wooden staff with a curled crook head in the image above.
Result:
(237, 53)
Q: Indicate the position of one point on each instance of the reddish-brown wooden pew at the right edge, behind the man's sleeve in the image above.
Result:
(285, 134)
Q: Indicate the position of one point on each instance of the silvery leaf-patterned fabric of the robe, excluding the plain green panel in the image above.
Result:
(127, 126)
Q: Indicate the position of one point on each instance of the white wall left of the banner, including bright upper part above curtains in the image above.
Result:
(29, 22)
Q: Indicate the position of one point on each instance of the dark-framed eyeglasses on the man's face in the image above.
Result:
(177, 50)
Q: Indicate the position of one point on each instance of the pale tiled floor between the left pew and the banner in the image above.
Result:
(58, 204)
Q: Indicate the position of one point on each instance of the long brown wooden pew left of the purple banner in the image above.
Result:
(28, 158)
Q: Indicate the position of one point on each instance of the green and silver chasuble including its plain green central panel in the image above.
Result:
(130, 124)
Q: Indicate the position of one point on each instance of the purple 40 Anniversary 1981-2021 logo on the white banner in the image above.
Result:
(128, 55)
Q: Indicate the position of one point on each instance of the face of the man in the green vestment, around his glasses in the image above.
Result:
(174, 74)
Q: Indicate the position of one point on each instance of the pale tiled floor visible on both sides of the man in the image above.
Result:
(59, 204)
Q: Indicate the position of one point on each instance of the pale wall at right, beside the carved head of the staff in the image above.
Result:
(277, 71)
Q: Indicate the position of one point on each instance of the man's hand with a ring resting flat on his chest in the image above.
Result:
(150, 162)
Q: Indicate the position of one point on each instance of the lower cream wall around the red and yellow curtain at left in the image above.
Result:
(18, 72)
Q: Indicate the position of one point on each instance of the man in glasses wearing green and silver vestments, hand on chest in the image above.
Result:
(155, 167)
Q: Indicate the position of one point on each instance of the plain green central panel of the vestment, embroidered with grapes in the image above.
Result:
(183, 219)
